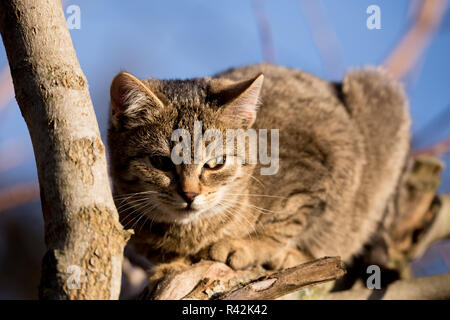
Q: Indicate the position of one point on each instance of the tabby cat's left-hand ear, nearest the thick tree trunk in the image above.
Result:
(132, 101)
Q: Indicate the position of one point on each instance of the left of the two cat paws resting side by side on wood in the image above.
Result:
(238, 254)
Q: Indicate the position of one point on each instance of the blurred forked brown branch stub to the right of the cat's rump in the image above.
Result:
(423, 216)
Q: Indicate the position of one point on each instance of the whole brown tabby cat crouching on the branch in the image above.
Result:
(342, 148)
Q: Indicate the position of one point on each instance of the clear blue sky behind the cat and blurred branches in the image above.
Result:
(181, 39)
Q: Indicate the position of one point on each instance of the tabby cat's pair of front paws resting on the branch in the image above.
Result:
(246, 253)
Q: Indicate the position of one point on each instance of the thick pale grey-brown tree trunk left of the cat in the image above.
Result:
(84, 238)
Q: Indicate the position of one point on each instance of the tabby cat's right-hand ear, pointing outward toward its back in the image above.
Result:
(240, 101)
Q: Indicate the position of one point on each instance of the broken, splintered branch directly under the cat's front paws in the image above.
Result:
(214, 280)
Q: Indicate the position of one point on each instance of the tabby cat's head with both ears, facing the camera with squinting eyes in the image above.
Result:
(144, 116)
